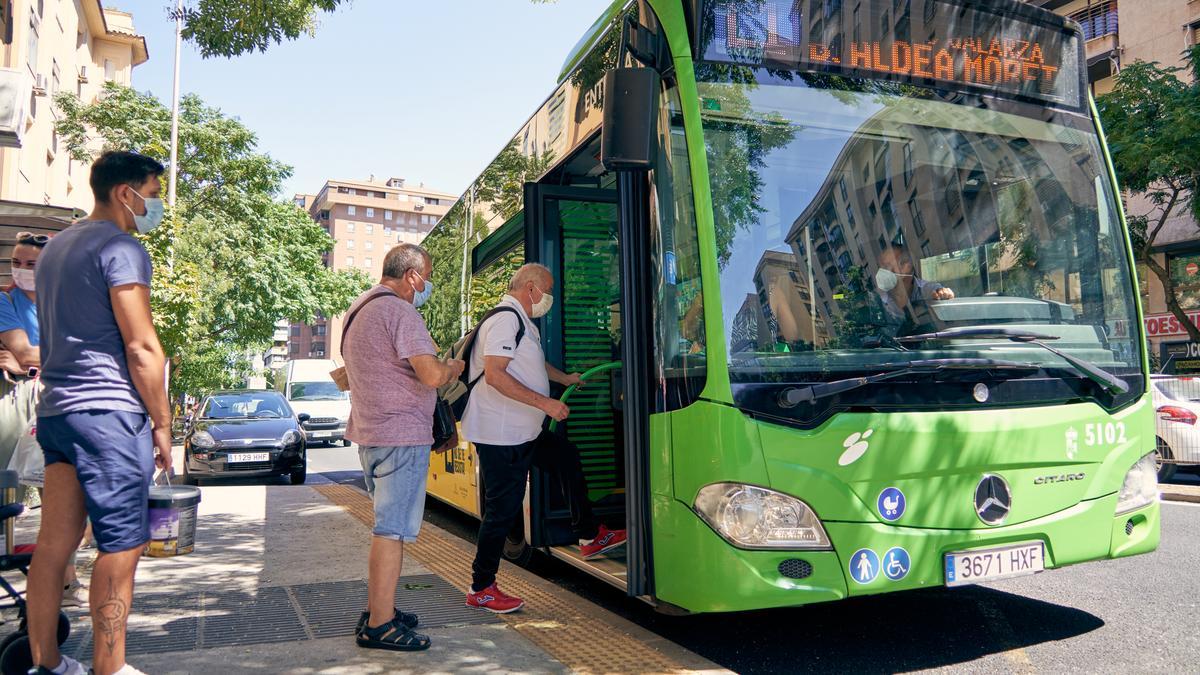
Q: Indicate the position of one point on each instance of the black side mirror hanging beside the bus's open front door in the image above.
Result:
(628, 141)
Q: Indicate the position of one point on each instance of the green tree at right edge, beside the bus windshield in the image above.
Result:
(1153, 122)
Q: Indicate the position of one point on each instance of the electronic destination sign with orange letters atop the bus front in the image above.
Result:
(931, 43)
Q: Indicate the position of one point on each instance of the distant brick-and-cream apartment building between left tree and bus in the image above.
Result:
(367, 219)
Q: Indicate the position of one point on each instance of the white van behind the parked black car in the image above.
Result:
(309, 389)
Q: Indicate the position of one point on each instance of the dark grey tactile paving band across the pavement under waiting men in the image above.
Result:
(165, 623)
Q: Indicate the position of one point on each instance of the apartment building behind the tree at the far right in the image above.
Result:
(1120, 33)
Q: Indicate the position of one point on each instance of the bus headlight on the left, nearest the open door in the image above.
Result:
(757, 518)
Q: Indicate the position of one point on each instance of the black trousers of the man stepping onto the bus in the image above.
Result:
(506, 470)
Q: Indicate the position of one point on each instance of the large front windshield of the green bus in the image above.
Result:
(853, 213)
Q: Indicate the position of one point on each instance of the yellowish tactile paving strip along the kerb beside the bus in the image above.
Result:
(554, 623)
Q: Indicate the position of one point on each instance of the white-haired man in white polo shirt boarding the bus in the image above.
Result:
(505, 419)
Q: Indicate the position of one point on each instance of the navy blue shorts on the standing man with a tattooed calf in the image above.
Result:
(113, 457)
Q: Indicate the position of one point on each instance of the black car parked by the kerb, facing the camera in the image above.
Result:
(248, 434)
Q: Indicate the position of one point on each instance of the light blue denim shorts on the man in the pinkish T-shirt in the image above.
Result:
(395, 479)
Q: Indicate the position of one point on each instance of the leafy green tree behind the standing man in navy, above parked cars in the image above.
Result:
(230, 260)
